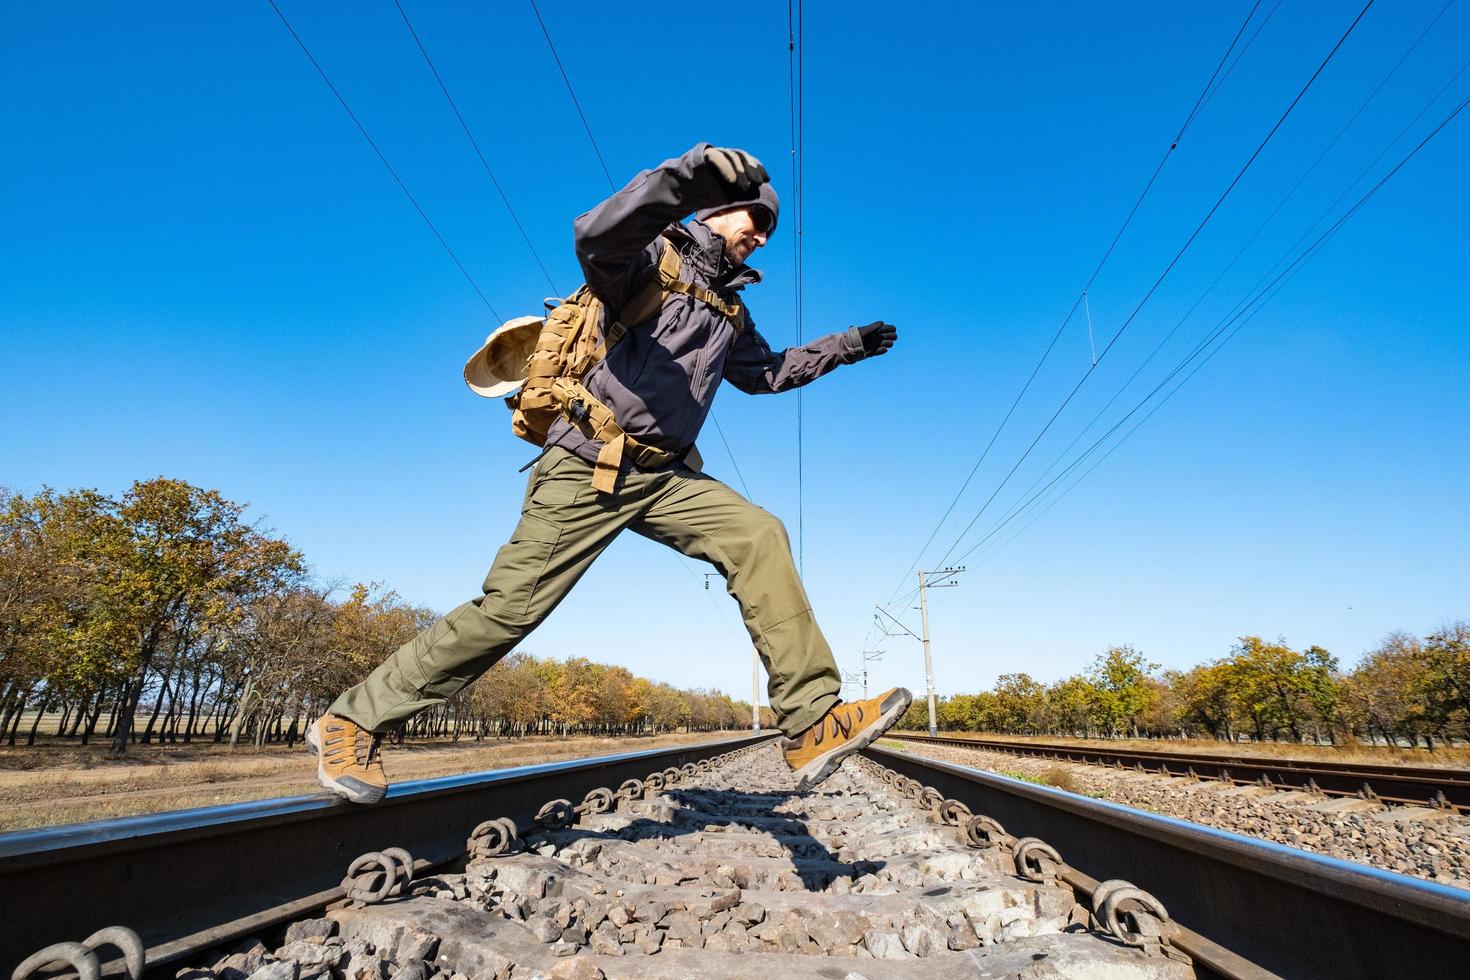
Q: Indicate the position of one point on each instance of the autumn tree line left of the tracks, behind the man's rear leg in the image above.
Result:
(165, 615)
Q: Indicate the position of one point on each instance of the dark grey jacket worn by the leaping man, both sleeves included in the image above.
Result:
(661, 380)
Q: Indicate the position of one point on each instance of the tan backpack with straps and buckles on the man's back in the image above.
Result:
(573, 343)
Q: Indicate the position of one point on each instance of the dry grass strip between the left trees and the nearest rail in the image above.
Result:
(92, 785)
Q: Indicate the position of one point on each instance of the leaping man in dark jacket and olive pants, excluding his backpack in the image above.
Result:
(659, 381)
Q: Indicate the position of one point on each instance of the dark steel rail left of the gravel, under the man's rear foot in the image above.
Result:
(199, 878)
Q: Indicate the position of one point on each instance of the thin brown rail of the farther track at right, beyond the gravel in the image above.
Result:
(1409, 785)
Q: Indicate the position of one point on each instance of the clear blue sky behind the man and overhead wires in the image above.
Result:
(209, 275)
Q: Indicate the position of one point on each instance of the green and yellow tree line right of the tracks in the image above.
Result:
(1408, 690)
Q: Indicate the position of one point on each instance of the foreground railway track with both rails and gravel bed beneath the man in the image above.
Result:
(703, 862)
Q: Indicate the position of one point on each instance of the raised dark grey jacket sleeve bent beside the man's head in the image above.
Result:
(612, 240)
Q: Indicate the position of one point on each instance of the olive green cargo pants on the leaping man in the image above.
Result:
(564, 527)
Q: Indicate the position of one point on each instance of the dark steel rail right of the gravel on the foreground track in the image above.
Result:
(1288, 912)
